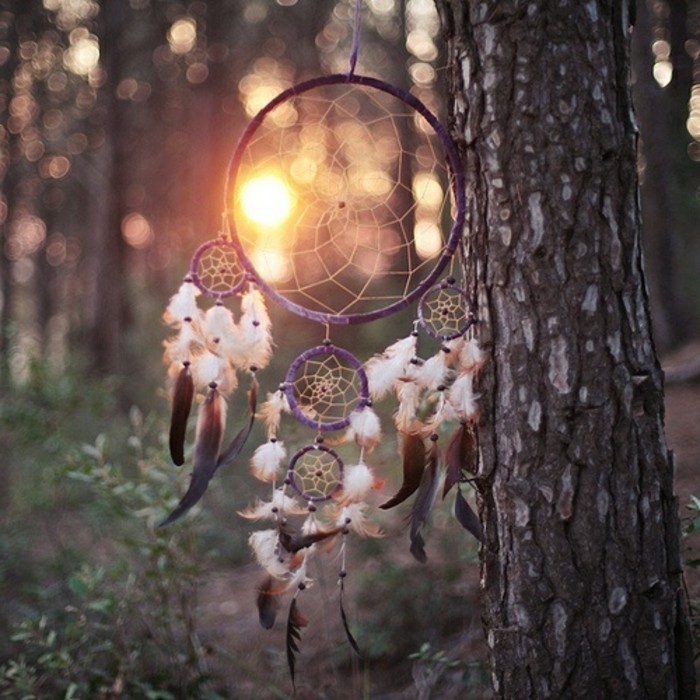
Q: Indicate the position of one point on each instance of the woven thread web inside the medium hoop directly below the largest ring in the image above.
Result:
(326, 389)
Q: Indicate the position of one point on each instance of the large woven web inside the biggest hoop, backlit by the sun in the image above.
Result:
(371, 199)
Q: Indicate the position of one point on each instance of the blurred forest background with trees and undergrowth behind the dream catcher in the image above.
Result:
(118, 121)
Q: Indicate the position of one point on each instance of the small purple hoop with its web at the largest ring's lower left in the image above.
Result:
(216, 269)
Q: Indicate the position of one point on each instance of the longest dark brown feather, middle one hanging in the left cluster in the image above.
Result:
(210, 432)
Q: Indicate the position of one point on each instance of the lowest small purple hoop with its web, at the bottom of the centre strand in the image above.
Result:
(315, 472)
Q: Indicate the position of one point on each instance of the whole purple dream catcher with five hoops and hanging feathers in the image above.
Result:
(374, 200)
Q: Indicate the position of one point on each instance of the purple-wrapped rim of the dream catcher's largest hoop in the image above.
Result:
(458, 192)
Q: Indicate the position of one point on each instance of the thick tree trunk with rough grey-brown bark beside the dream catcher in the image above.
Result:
(581, 566)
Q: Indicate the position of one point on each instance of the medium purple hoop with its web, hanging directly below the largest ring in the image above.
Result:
(315, 401)
